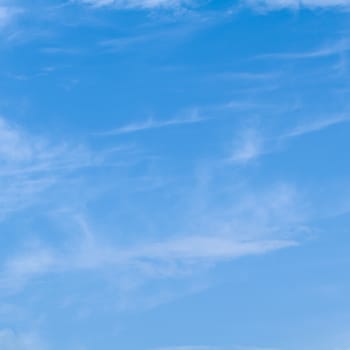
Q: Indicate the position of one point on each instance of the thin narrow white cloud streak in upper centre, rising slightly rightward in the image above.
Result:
(151, 123)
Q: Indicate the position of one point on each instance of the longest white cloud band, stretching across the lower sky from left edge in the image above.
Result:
(254, 226)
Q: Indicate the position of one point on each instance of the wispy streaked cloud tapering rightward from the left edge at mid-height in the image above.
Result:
(31, 164)
